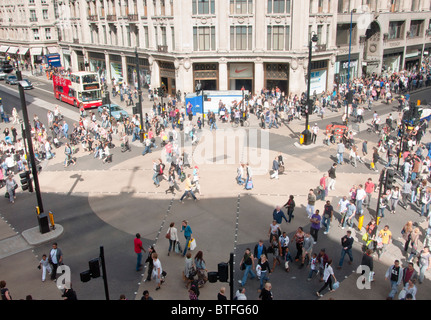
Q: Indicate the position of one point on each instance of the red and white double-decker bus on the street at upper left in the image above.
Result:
(78, 88)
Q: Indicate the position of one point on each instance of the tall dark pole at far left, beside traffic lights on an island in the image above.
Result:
(29, 142)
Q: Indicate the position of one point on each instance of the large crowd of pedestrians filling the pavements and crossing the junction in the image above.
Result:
(165, 120)
